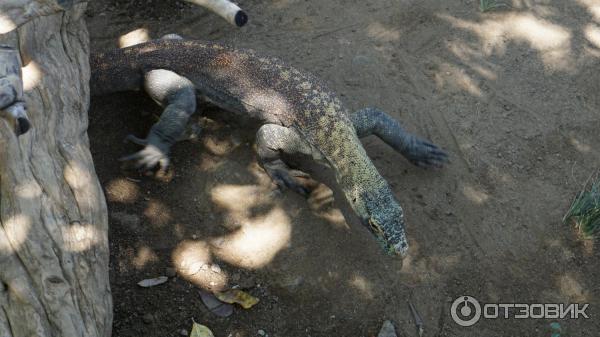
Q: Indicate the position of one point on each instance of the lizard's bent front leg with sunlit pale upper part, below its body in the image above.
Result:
(272, 140)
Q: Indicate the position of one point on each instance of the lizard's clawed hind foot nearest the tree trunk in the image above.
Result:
(150, 157)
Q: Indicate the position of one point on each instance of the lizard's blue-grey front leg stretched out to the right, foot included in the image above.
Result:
(420, 152)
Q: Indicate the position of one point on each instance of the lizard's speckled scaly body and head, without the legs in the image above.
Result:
(265, 88)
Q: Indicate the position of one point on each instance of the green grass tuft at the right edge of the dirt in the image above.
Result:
(584, 212)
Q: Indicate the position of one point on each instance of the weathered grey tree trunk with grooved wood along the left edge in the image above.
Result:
(53, 217)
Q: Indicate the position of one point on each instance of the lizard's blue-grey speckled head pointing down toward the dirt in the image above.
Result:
(382, 215)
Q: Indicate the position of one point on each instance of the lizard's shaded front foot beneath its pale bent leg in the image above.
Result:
(285, 177)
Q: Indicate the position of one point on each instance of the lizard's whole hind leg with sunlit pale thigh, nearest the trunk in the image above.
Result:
(177, 94)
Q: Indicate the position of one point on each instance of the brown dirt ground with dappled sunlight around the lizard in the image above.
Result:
(512, 95)
